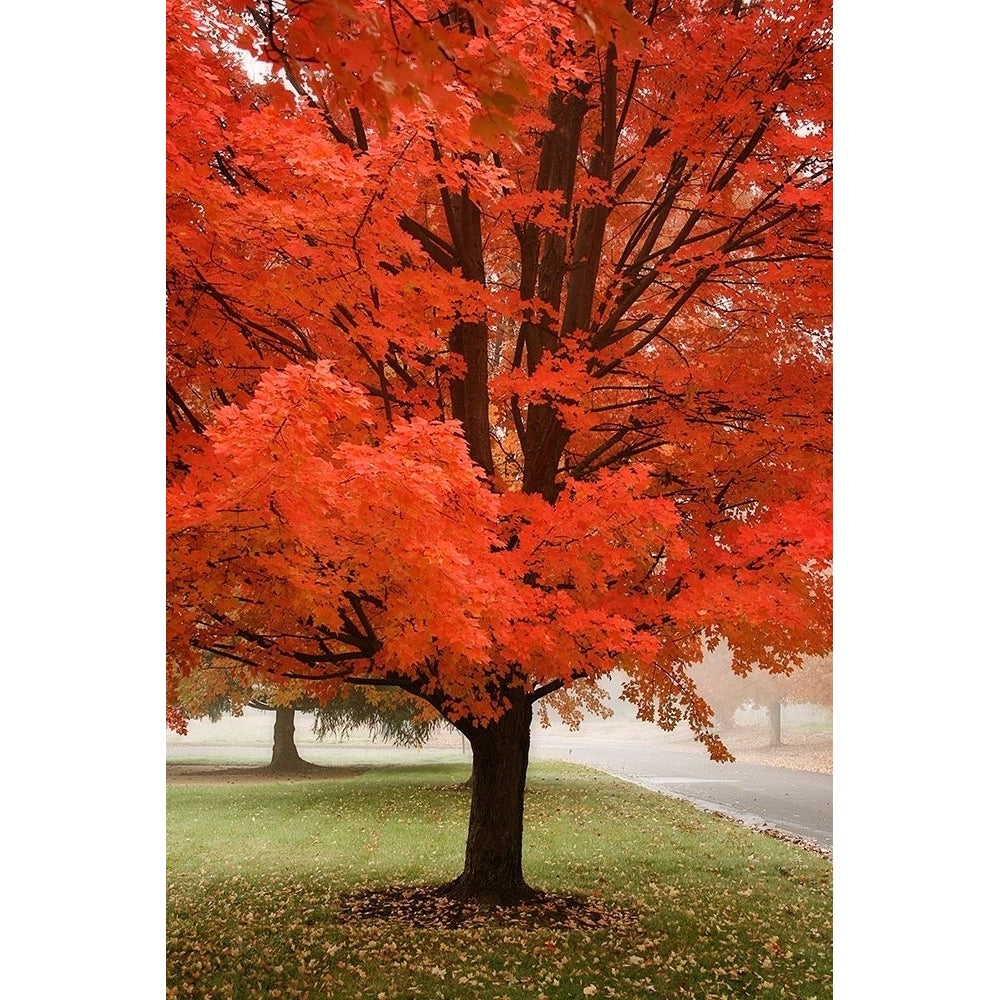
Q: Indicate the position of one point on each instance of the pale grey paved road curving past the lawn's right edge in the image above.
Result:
(796, 802)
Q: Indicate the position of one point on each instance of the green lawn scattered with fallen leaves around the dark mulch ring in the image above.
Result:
(705, 909)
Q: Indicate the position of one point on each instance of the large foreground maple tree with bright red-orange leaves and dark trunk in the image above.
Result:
(499, 355)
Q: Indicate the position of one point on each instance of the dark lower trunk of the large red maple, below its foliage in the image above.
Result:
(493, 871)
